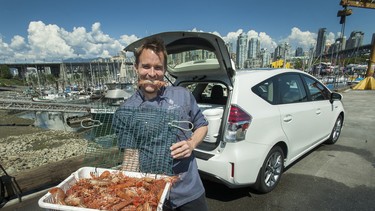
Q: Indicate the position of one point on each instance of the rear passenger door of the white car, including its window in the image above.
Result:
(296, 114)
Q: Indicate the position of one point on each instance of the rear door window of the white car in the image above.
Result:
(290, 89)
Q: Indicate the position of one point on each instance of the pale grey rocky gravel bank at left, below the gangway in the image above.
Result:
(28, 151)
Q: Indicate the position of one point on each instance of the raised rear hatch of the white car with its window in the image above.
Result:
(194, 56)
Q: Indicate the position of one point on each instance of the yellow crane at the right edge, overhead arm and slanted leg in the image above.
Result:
(369, 81)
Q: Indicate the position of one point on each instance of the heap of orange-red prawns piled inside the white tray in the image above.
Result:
(113, 191)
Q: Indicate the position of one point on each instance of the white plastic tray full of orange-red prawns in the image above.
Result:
(91, 188)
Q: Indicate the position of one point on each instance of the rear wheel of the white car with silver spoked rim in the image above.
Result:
(270, 173)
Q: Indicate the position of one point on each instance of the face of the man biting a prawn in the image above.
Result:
(150, 67)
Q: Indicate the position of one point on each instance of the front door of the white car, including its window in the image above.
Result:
(324, 115)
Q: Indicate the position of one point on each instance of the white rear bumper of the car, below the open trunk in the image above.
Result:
(235, 166)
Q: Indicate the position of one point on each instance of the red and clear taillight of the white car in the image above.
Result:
(237, 125)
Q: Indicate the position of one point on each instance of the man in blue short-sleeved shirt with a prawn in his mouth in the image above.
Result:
(150, 63)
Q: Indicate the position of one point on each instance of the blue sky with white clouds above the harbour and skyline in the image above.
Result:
(35, 29)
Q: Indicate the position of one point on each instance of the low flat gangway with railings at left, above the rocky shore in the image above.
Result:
(28, 105)
